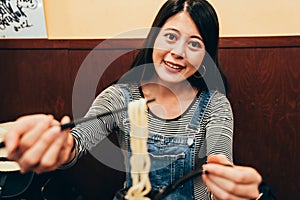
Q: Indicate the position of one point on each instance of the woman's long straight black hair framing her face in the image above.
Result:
(206, 20)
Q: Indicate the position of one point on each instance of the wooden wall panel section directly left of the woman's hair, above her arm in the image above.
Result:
(95, 71)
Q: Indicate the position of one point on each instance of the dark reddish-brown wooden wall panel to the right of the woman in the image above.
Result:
(265, 97)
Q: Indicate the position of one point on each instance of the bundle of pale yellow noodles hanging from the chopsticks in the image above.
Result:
(140, 160)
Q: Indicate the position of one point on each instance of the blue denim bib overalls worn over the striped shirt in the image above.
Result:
(172, 156)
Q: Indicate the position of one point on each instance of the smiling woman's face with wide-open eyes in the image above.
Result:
(178, 49)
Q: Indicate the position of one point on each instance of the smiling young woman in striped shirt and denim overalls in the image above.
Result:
(190, 121)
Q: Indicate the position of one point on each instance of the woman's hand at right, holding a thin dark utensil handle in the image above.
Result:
(230, 182)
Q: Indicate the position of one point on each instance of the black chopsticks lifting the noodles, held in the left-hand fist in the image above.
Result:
(72, 124)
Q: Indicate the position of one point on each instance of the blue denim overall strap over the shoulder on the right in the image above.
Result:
(205, 98)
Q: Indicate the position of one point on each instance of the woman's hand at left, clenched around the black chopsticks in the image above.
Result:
(37, 143)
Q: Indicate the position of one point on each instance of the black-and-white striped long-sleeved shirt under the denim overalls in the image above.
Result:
(214, 137)
